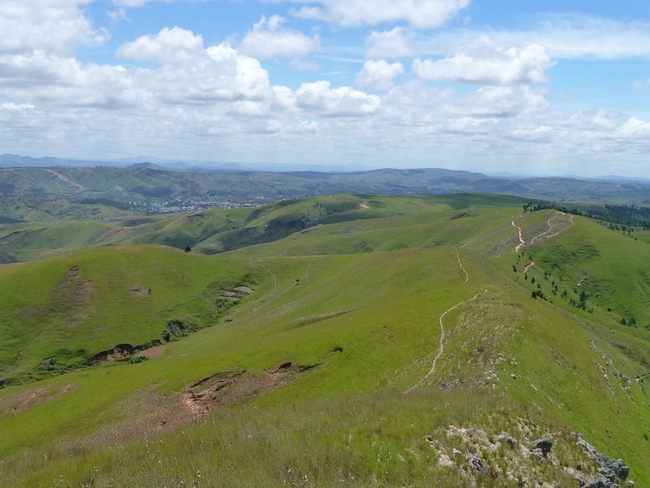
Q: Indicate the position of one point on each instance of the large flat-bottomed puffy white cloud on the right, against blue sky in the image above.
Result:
(486, 63)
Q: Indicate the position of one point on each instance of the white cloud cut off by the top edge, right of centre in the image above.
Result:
(418, 13)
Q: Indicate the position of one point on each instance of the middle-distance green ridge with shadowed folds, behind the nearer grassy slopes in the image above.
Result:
(218, 231)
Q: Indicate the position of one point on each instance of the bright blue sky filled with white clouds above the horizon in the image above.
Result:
(495, 86)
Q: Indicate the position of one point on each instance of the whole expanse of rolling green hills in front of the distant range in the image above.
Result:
(338, 341)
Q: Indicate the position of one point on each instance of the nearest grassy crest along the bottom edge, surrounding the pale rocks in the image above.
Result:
(377, 439)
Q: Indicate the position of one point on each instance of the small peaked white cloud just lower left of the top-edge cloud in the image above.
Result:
(268, 40)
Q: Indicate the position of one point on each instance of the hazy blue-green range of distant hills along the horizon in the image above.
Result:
(73, 180)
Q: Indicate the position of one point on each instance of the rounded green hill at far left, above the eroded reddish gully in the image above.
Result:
(76, 306)
